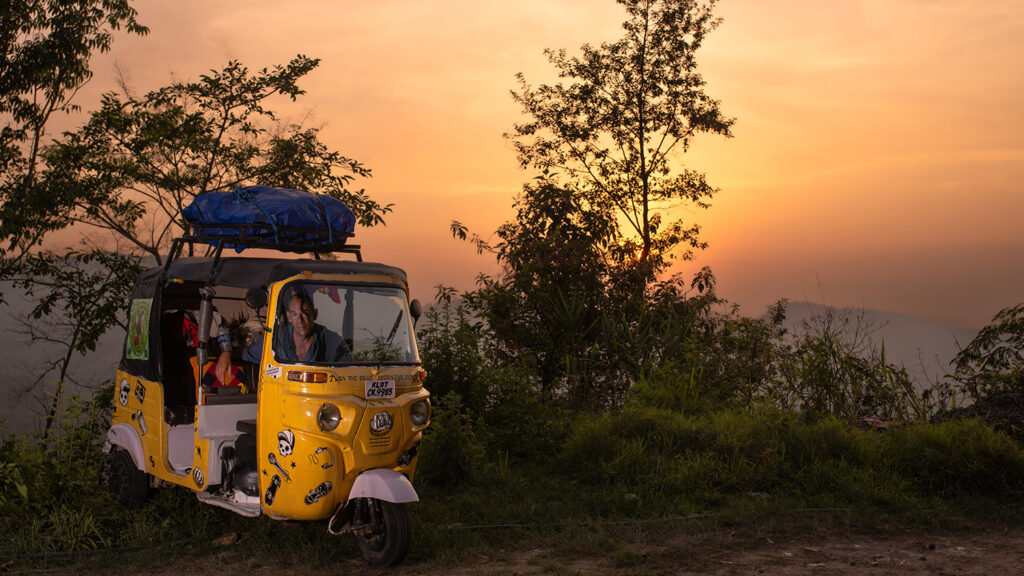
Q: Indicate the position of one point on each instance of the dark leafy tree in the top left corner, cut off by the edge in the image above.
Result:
(47, 46)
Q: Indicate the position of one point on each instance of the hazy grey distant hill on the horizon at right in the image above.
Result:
(924, 348)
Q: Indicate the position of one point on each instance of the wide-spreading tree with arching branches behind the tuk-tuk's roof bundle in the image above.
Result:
(133, 168)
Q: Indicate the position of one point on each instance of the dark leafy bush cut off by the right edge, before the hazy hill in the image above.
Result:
(993, 363)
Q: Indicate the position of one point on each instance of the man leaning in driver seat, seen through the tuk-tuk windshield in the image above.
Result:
(305, 341)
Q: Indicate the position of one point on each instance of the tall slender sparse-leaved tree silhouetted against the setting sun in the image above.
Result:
(630, 109)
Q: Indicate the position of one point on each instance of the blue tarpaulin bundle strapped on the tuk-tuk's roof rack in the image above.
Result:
(271, 217)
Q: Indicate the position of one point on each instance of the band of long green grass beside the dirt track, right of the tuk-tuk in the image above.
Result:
(704, 461)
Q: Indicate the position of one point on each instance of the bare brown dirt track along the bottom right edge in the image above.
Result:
(828, 553)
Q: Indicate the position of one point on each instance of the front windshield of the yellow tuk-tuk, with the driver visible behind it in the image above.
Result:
(324, 323)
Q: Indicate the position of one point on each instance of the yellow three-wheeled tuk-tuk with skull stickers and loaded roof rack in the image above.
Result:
(278, 386)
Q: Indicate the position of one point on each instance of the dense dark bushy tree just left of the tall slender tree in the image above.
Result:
(546, 307)
